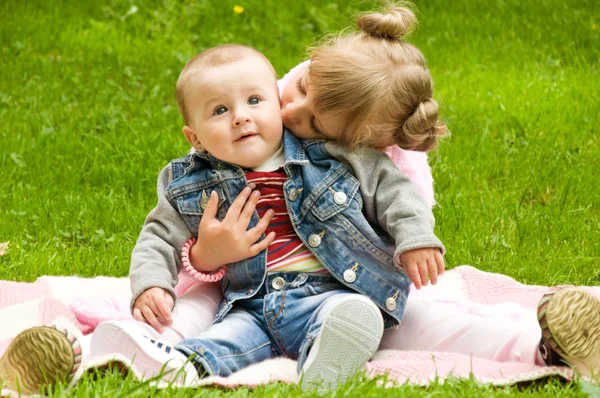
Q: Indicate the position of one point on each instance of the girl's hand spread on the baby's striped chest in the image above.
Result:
(228, 241)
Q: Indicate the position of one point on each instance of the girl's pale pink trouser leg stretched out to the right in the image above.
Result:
(503, 332)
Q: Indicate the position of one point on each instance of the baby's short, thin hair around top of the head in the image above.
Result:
(215, 56)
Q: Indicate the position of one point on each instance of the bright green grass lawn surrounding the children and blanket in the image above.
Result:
(88, 118)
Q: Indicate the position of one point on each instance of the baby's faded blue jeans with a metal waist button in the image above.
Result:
(283, 319)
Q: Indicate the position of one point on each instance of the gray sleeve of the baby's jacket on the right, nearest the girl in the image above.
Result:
(390, 199)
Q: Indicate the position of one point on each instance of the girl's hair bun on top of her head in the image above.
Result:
(396, 22)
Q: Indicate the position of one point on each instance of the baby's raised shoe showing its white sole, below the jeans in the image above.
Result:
(349, 337)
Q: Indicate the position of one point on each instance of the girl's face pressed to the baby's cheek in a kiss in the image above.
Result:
(298, 112)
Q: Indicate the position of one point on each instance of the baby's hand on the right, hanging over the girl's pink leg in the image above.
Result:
(418, 263)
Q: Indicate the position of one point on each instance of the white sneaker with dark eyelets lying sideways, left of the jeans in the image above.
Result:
(145, 355)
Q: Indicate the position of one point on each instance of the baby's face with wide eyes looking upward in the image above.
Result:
(235, 112)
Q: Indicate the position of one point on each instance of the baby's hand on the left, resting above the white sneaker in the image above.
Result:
(154, 307)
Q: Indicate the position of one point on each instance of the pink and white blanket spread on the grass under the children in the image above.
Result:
(87, 302)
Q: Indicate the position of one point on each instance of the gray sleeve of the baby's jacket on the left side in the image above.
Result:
(156, 257)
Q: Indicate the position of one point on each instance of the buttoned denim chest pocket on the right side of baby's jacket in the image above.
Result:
(337, 196)
